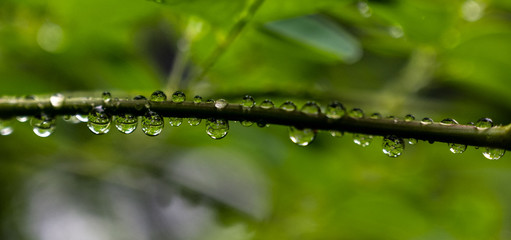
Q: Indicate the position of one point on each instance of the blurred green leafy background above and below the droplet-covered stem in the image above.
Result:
(433, 59)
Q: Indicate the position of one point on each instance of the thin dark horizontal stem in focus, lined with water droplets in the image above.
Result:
(495, 137)
